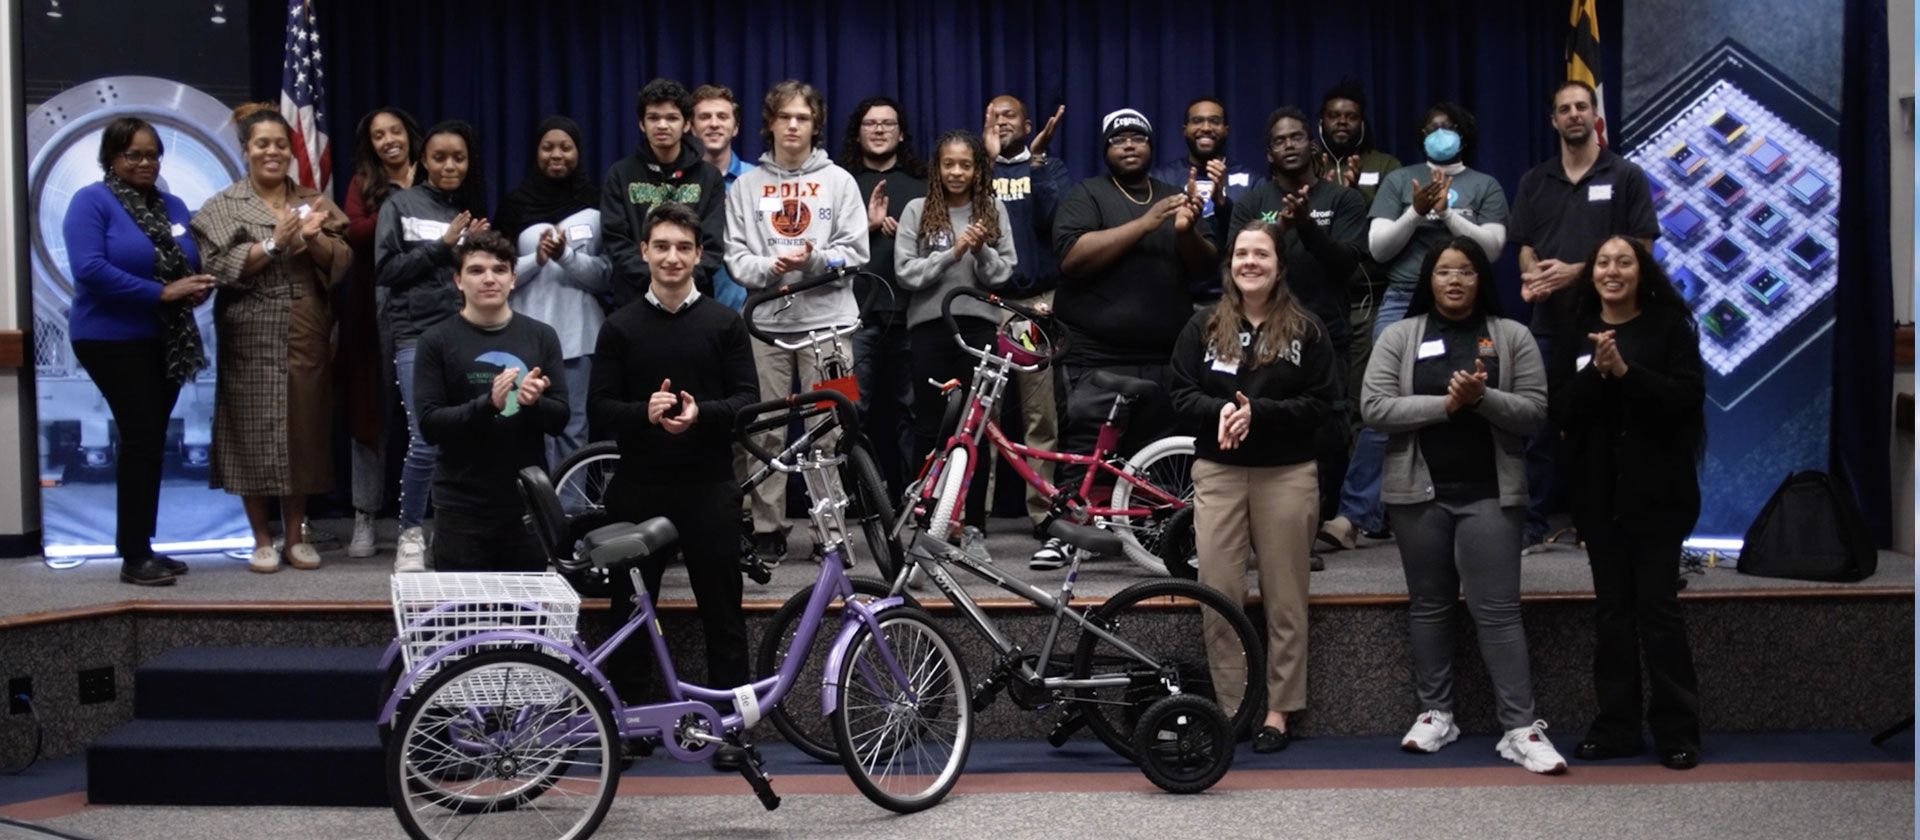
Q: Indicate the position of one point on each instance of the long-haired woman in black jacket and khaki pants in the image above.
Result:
(1253, 381)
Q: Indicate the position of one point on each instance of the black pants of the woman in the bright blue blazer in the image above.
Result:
(133, 379)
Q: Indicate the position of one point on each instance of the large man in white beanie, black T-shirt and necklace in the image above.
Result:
(1130, 256)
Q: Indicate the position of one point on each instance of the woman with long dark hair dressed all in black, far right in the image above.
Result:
(1631, 398)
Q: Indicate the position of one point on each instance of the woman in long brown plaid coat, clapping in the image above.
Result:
(276, 250)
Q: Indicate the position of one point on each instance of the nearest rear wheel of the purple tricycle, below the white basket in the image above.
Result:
(504, 745)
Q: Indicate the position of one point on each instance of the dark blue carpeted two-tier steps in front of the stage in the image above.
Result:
(247, 728)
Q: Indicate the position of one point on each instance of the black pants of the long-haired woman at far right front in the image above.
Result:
(1637, 613)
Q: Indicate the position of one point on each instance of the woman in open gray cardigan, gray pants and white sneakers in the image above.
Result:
(1458, 388)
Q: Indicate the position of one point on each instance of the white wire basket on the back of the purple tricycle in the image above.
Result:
(439, 609)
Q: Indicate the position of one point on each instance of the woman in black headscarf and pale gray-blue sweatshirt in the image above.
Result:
(562, 275)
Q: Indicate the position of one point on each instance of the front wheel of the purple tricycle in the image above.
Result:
(903, 745)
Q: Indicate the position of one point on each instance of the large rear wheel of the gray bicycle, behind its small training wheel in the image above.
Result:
(1170, 622)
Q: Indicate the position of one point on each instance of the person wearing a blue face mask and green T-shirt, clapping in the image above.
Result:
(1418, 208)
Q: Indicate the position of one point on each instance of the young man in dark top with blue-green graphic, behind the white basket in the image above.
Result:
(487, 402)
